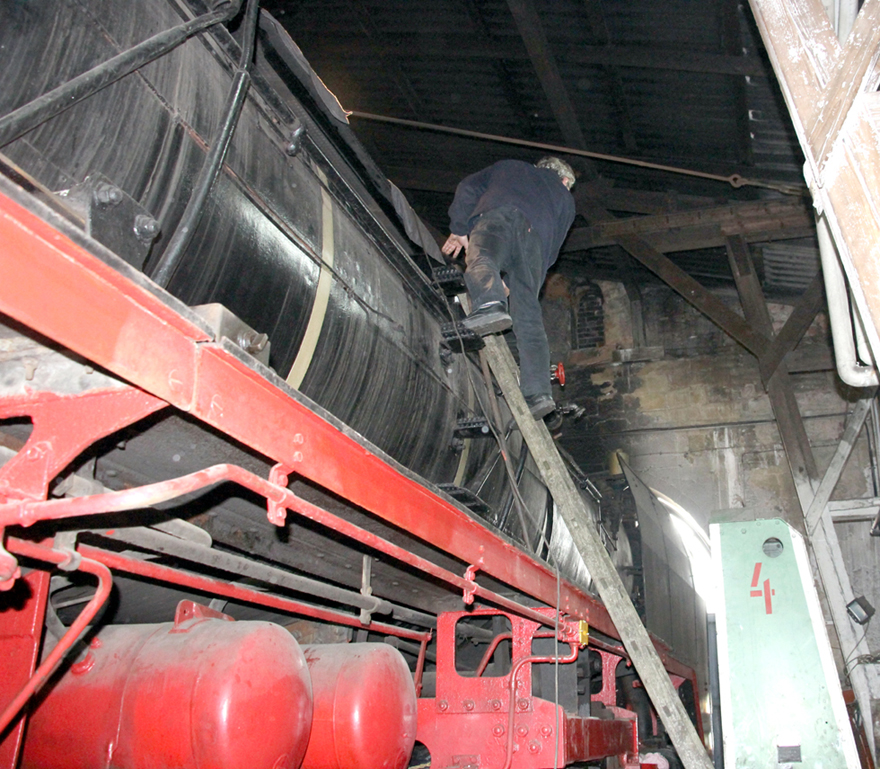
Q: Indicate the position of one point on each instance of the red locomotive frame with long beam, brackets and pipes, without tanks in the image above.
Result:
(53, 285)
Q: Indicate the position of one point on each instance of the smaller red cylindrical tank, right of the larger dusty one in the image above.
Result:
(365, 707)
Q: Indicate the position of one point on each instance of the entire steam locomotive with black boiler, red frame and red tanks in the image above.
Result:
(254, 501)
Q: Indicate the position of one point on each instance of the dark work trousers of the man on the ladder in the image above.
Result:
(502, 242)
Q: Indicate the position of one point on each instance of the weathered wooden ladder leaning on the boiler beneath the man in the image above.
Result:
(623, 614)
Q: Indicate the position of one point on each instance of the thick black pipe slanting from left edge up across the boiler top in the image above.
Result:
(34, 113)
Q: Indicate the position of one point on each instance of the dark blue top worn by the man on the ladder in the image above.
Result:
(537, 192)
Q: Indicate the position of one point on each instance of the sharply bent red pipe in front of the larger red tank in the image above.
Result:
(42, 673)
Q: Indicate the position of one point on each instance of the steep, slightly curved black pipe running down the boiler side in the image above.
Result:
(170, 260)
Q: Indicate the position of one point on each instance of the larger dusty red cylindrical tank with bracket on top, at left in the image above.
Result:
(202, 693)
